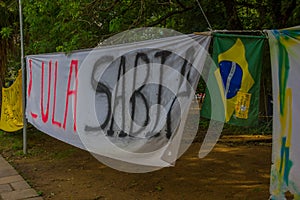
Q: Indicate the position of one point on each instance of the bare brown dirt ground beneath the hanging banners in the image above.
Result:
(237, 168)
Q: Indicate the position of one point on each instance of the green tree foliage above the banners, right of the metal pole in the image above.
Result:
(68, 25)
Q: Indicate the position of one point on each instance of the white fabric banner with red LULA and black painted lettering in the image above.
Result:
(127, 102)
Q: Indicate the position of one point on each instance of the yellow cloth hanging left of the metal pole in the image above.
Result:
(11, 111)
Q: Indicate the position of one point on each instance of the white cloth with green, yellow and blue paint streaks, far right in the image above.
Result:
(285, 172)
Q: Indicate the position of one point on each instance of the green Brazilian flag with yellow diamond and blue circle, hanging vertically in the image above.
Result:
(238, 60)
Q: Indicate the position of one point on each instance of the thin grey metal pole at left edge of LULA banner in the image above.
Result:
(23, 80)
